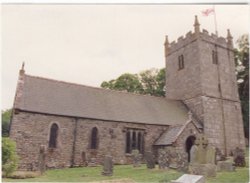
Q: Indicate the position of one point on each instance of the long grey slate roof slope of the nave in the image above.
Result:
(60, 98)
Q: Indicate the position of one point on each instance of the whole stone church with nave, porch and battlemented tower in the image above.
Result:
(78, 125)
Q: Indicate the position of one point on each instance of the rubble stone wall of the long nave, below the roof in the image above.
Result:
(30, 130)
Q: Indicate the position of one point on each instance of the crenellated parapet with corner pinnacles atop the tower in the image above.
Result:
(203, 35)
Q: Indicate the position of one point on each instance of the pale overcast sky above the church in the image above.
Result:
(89, 44)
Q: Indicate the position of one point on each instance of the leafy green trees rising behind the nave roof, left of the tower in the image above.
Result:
(150, 82)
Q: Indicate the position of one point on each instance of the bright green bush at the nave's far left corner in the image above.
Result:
(9, 156)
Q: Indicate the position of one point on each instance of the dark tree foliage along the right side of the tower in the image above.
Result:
(242, 68)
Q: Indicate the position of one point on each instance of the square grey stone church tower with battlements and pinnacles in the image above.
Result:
(200, 71)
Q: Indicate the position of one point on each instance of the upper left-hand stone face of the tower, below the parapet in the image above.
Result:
(184, 83)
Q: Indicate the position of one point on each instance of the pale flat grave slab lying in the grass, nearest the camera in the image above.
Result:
(189, 178)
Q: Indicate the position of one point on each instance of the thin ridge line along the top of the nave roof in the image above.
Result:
(99, 88)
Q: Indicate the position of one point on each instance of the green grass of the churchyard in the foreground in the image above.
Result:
(128, 174)
